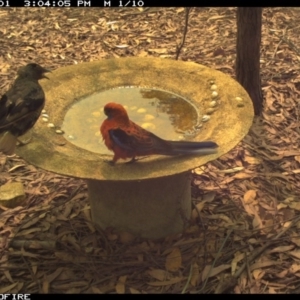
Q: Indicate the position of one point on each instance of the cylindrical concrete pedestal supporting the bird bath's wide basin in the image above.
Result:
(152, 208)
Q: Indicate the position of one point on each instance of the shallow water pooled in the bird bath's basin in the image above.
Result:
(165, 114)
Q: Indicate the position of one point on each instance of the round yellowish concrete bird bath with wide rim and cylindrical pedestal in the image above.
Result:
(150, 198)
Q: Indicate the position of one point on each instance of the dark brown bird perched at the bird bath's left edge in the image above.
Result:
(21, 106)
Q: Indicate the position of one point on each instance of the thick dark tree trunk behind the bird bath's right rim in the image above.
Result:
(248, 53)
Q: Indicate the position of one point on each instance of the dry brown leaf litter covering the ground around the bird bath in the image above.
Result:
(243, 236)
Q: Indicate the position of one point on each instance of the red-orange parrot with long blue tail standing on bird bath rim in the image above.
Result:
(128, 140)
